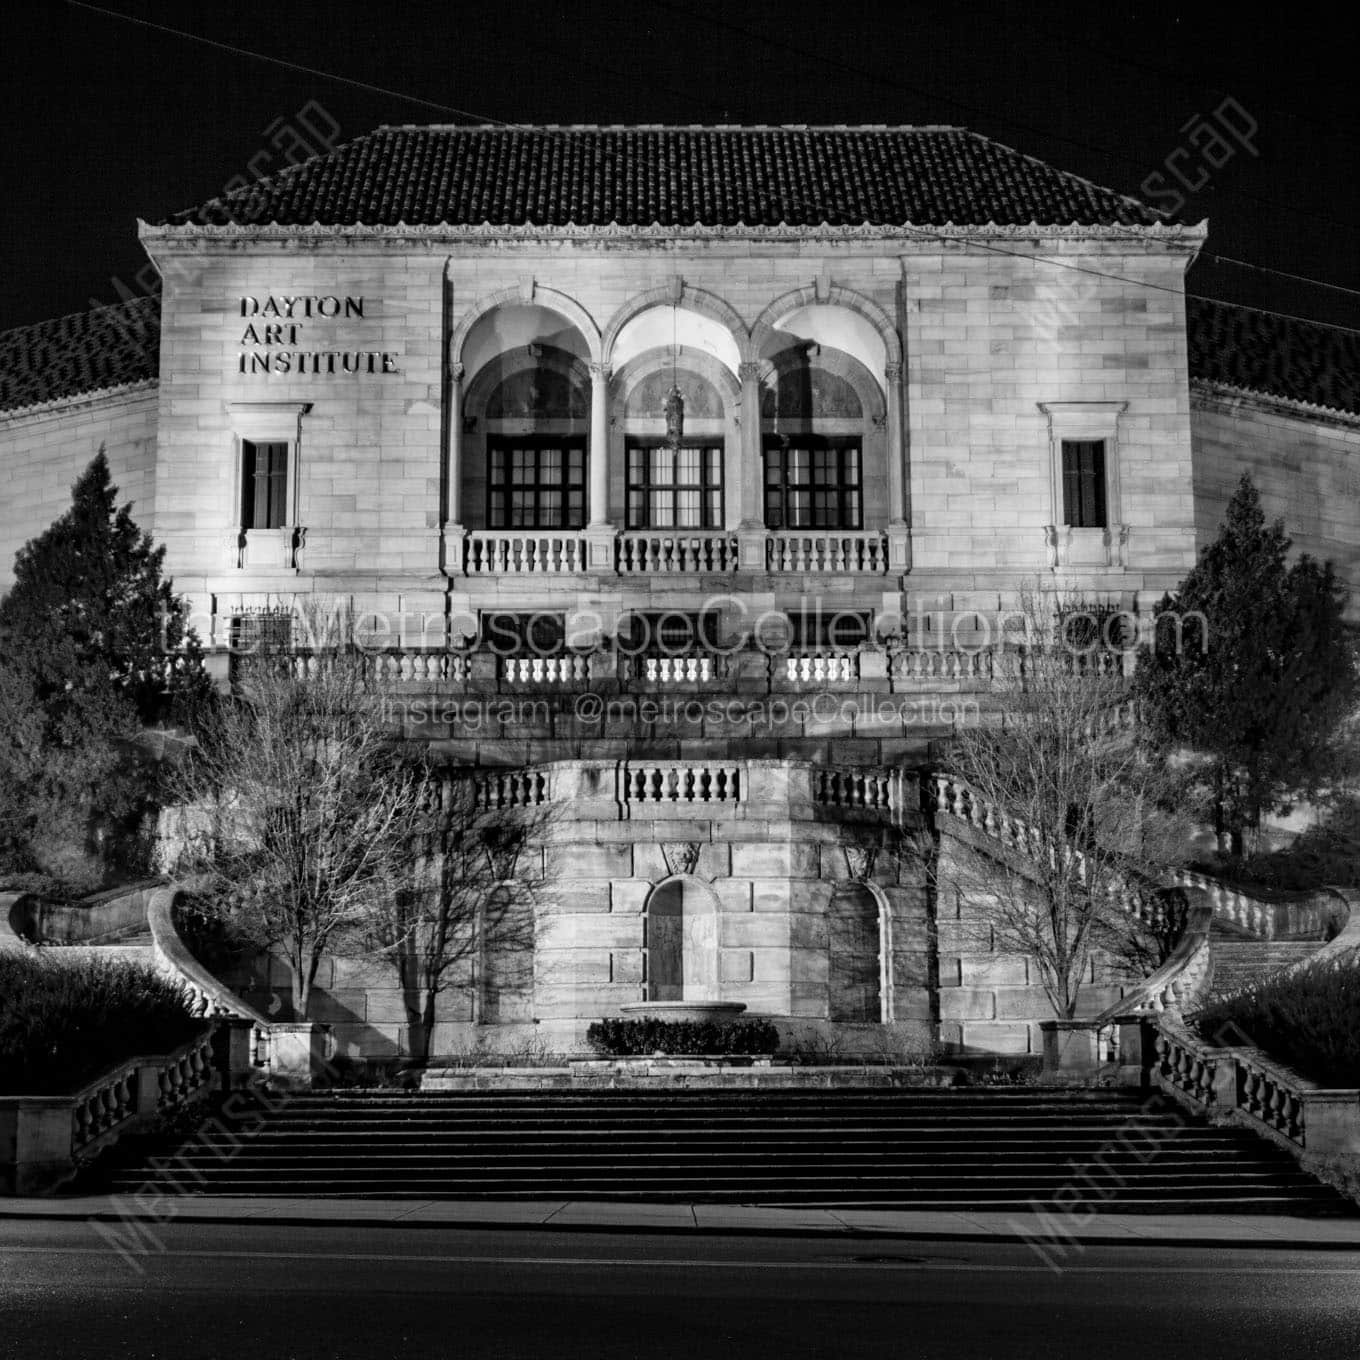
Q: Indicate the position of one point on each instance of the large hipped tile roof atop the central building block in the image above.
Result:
(673, 177)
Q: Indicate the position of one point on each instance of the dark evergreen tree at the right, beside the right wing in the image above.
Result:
(1252, 668)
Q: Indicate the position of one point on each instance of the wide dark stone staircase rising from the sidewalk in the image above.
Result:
(891, 1149)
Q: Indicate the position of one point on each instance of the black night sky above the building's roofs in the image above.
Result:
(109, 120)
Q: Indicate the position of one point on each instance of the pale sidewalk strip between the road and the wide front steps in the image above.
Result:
(1061, 1231)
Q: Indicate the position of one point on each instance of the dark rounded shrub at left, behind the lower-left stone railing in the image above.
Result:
(65, 1023)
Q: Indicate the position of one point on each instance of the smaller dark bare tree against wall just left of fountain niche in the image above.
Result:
(464, 916)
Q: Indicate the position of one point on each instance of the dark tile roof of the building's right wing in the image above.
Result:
(1256, 352)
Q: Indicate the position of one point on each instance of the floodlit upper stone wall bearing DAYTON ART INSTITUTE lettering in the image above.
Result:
(987, 339)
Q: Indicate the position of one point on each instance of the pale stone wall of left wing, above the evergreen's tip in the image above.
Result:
(44, 454)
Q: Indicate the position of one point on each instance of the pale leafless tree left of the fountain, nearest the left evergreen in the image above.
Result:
(304, 803)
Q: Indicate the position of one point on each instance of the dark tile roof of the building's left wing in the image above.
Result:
(88, 352)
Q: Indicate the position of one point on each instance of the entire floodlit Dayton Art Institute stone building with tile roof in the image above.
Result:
(435, 375)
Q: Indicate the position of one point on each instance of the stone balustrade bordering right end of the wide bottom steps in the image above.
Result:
(1248, 1087)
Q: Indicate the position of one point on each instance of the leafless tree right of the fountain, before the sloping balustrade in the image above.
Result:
(1075, 809)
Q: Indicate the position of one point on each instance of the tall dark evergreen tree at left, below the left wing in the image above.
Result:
(93, 647)
